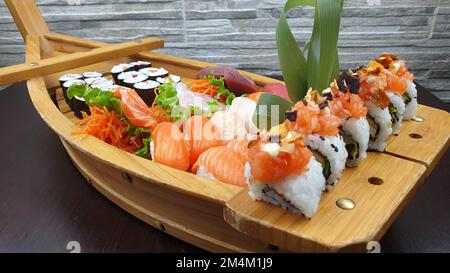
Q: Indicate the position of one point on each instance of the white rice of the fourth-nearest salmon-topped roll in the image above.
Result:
(383, 119)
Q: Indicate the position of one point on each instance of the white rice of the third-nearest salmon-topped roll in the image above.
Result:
(358, 129)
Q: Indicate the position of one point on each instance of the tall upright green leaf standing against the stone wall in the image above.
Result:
(322, 63)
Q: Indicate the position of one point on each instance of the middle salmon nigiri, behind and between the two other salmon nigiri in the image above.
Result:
(201, 135)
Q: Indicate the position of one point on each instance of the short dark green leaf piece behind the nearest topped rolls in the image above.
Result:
(270, 110)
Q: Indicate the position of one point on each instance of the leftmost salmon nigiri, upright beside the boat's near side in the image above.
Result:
(169, 147)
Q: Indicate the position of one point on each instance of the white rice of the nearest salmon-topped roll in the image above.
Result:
(298, 194)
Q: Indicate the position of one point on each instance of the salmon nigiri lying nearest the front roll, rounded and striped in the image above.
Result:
(223, 164)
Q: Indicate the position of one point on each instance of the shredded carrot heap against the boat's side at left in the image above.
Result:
(108, 126)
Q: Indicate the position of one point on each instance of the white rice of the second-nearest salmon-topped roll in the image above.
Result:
(333, 148)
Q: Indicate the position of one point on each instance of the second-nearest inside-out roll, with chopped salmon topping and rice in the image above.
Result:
(312, 118)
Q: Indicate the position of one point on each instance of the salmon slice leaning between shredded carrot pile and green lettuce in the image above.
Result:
(134, 108)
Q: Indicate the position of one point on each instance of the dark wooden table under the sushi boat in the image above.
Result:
(45, 202)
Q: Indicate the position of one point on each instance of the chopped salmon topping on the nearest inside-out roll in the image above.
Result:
(270, 165)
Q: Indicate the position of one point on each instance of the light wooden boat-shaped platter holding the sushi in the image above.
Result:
(215, 216)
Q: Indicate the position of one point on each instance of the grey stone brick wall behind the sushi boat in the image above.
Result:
(241, 32)
